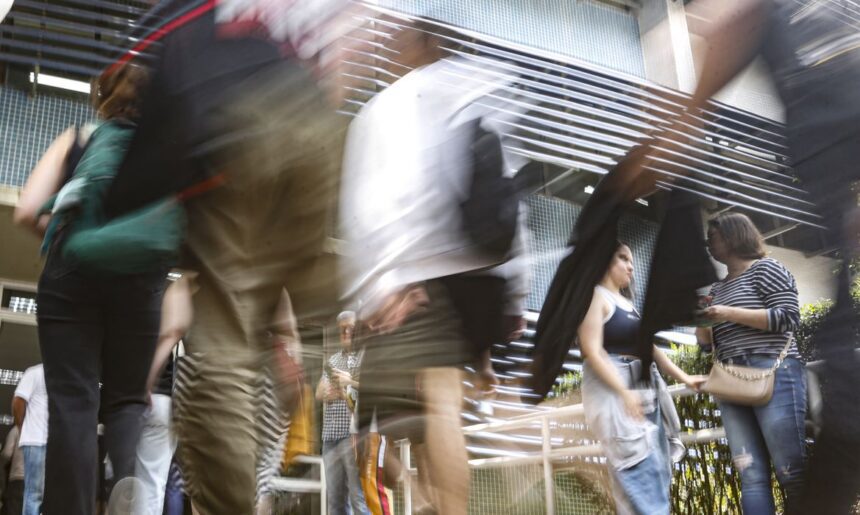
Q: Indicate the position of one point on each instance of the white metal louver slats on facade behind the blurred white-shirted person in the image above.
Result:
(584, 119)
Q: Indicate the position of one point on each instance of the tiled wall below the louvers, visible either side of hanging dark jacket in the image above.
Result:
(550, 221)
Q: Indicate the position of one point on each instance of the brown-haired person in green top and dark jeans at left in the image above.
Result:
(95, 328)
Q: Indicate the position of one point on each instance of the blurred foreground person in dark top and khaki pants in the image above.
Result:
(234, 121)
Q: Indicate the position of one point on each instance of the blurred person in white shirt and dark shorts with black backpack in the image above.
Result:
(410, 167)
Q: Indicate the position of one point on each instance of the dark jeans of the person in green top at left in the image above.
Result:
(93, 329)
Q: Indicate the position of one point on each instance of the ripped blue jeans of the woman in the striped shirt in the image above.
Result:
(771, 434)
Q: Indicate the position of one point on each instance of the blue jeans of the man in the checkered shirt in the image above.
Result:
(343, 486)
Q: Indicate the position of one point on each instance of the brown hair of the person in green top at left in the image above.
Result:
(118, 91)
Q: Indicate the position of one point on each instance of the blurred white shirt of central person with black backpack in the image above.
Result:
(401, 193)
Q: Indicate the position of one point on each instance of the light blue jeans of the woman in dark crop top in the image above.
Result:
(643, 489)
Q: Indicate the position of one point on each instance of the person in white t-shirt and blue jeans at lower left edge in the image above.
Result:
(30, 409)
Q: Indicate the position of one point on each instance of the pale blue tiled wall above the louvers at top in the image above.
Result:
(584, 29)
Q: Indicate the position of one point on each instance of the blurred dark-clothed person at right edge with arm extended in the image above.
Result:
(812, 51)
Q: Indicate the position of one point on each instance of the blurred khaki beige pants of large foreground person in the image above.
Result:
(248, 239)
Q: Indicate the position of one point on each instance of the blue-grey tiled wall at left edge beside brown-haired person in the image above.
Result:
(28, 125)
